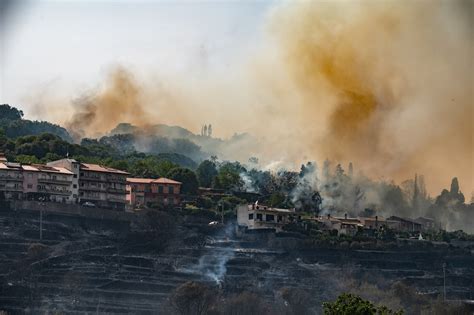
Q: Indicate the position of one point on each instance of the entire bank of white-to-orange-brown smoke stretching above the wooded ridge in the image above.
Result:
(387, 85)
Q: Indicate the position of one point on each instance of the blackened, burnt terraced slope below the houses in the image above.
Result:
(78, 271)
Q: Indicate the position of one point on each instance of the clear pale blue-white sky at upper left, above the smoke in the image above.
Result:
(67, 45)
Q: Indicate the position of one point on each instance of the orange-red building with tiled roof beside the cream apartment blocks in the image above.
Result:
(148, 191)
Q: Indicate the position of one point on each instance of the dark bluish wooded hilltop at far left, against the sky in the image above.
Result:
(14, 126)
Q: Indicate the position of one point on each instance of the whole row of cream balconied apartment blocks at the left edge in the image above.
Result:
(65, 180)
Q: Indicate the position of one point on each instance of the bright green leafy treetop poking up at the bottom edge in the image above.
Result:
(351, 304)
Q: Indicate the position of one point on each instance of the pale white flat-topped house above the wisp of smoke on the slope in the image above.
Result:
(260, 217)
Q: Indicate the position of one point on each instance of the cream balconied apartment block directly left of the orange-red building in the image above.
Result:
(98, 185)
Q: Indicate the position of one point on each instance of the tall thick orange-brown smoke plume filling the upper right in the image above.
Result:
(390, 82)
